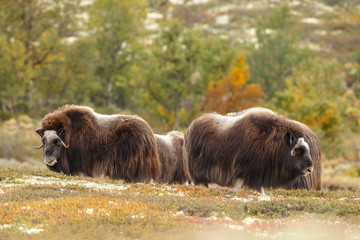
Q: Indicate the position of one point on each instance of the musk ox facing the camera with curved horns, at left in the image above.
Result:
(76, 140)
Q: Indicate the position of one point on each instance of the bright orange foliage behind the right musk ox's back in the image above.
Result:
(232, 93)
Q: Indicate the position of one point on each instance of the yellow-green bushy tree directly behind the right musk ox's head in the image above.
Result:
(313, 96)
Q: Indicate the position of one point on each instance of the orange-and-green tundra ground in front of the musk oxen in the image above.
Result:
(45, 205)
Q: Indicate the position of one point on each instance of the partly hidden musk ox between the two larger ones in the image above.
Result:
(172, 157)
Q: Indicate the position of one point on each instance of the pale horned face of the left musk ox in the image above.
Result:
(52, 145)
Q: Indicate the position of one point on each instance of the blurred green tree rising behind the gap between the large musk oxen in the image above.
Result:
(176, 61)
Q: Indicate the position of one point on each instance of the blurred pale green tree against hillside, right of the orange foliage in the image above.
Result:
(275, 54)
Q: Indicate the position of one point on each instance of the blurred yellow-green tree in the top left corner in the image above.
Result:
(37, 28)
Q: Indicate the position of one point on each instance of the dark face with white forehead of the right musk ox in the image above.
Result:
(299, 157)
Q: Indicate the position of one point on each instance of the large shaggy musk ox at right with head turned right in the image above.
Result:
(255, 148)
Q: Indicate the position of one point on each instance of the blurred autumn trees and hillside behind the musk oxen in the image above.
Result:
(169, 61)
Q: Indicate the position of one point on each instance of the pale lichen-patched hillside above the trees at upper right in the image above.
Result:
(329, 27)
